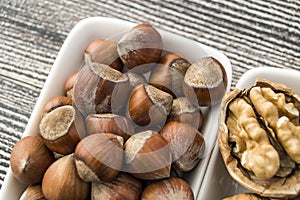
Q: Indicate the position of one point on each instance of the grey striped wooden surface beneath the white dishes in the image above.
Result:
(251, 33)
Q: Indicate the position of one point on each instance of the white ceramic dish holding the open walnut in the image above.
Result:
(217, 183)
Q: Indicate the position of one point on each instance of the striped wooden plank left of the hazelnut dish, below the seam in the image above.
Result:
(17, 102)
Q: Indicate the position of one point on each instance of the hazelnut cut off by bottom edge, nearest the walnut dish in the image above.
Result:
(168, 189)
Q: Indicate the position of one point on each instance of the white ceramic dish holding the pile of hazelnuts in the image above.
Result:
(69, 60)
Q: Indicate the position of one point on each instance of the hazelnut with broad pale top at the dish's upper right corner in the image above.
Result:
(205, 82)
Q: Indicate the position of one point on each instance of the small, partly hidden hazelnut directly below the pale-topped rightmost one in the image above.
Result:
(183, 111)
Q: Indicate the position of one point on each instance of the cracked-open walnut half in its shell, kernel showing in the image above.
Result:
(259, 138)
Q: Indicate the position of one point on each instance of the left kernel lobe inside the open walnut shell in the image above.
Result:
(244, 128)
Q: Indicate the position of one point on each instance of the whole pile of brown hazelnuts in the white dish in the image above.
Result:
(129, 123)
